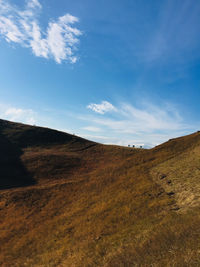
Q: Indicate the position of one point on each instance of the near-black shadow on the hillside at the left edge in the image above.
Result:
(12, 171)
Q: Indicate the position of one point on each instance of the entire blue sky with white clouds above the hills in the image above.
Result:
(117, 72)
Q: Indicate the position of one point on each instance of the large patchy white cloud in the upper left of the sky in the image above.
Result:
(22, 27)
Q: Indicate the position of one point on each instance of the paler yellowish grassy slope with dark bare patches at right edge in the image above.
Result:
(181, 176)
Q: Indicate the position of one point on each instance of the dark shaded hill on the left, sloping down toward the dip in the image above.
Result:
(26, 150)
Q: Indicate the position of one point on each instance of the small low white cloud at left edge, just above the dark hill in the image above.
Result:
(17, 114)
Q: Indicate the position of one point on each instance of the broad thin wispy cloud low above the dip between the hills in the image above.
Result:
(149, 124)
